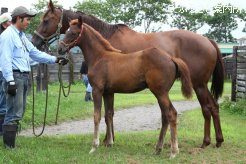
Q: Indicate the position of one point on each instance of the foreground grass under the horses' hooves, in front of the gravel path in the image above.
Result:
(137, 147)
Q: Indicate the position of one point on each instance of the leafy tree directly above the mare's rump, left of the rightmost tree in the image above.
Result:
(188, 19)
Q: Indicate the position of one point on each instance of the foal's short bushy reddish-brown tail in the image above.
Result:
(184, 74)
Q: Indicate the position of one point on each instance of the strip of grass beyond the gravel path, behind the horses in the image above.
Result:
(74, 107)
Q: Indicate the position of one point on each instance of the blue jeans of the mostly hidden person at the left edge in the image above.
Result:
(2, 96)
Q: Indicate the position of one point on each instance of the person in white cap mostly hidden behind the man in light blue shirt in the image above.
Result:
(5, 21)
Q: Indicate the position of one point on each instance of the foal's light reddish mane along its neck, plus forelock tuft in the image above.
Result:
(105, 43)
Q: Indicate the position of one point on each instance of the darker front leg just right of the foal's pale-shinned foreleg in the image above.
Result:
(109, 112)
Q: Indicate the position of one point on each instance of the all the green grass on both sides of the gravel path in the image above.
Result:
(129, 147)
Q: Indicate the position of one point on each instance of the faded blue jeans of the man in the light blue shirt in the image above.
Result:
(16, 104)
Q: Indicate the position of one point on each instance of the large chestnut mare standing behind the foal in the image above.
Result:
(200, 54)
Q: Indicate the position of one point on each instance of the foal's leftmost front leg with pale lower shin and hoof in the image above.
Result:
(97, 97)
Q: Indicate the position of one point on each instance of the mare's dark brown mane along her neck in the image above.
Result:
(105, 29)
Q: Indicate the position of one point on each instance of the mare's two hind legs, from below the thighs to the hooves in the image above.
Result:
(209, 107)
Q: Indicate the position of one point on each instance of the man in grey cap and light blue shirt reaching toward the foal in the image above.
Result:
(15, 52)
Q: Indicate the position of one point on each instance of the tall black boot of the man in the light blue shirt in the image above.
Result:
(9, 135)
